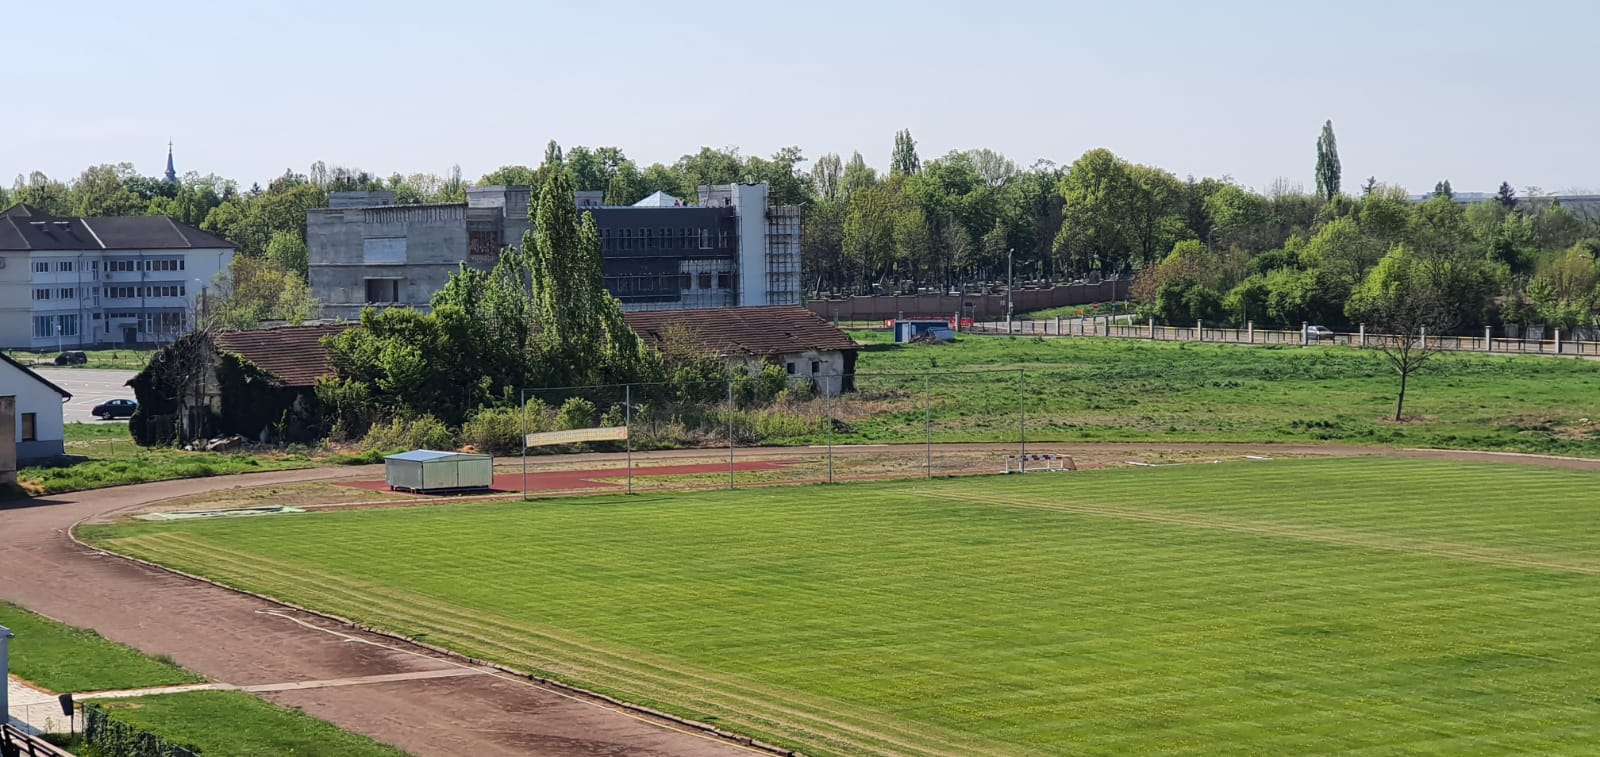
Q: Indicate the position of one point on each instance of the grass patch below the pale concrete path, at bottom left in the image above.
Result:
(239, 726)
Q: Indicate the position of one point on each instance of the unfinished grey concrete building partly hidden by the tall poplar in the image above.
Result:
(732, 249)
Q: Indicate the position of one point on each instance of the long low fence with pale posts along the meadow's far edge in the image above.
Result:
(1250, 335)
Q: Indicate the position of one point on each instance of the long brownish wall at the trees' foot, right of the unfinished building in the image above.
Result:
(978, 306)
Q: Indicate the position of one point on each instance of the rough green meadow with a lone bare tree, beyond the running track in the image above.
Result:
(1134, 391)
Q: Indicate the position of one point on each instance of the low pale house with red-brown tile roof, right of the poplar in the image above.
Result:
(791, 337)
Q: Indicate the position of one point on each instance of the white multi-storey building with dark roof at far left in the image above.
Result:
(79, 282)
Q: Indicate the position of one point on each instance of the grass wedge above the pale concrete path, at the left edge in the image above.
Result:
(65, 659)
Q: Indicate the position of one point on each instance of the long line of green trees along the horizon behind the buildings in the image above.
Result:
(1202, 249)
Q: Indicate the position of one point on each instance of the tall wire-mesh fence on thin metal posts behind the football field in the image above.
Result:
(766, 428)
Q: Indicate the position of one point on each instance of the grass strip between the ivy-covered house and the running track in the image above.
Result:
(105, 457)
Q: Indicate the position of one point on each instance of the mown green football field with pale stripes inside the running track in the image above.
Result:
(1273, 607)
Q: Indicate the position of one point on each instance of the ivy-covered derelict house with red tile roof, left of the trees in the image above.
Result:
(258, 383)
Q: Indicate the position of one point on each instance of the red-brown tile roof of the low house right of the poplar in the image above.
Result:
(758, 332)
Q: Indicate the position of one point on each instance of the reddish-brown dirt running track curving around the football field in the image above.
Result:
(244, 641)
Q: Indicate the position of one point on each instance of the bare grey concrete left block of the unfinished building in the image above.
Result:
(436, 242)
